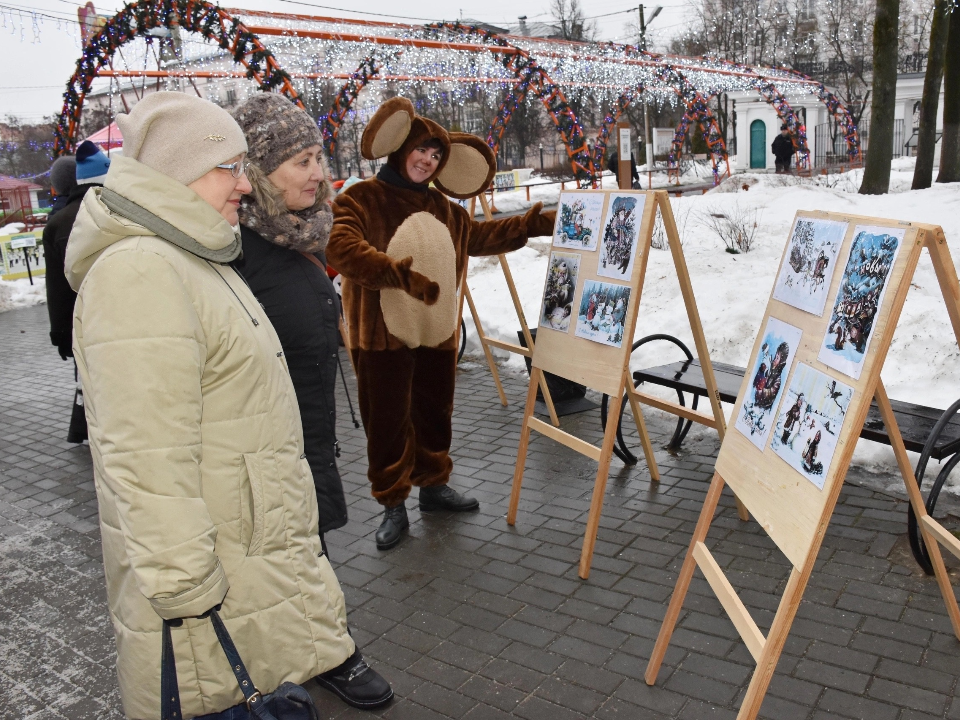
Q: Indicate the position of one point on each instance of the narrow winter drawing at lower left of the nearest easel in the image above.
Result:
(768, 377)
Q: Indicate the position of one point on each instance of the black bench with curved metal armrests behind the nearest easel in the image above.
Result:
(931, 432)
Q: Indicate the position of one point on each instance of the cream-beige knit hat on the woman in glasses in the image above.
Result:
(182, 136)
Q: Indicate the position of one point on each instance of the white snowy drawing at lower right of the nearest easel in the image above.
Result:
(809, 422)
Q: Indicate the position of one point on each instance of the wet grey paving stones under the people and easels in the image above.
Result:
(472, 619)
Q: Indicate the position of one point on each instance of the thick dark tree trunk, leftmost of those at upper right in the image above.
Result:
(876, 172)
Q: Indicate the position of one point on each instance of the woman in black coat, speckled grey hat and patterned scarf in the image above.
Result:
(284, 225)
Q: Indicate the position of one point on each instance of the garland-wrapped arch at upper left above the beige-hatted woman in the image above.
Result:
(135, 20)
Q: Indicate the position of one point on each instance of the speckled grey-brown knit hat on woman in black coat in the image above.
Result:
(276, 129)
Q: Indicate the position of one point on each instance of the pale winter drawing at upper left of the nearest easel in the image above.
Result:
(804, 279)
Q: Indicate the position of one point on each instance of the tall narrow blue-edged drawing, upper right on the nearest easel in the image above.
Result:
(862, 288)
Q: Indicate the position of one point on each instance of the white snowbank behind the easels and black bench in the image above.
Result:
(923, 365)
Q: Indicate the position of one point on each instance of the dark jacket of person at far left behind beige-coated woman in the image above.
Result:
(60, 296)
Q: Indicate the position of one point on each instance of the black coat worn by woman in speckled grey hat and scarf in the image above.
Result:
(300, 301)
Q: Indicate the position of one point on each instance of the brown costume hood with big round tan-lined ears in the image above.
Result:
(466, 168)
